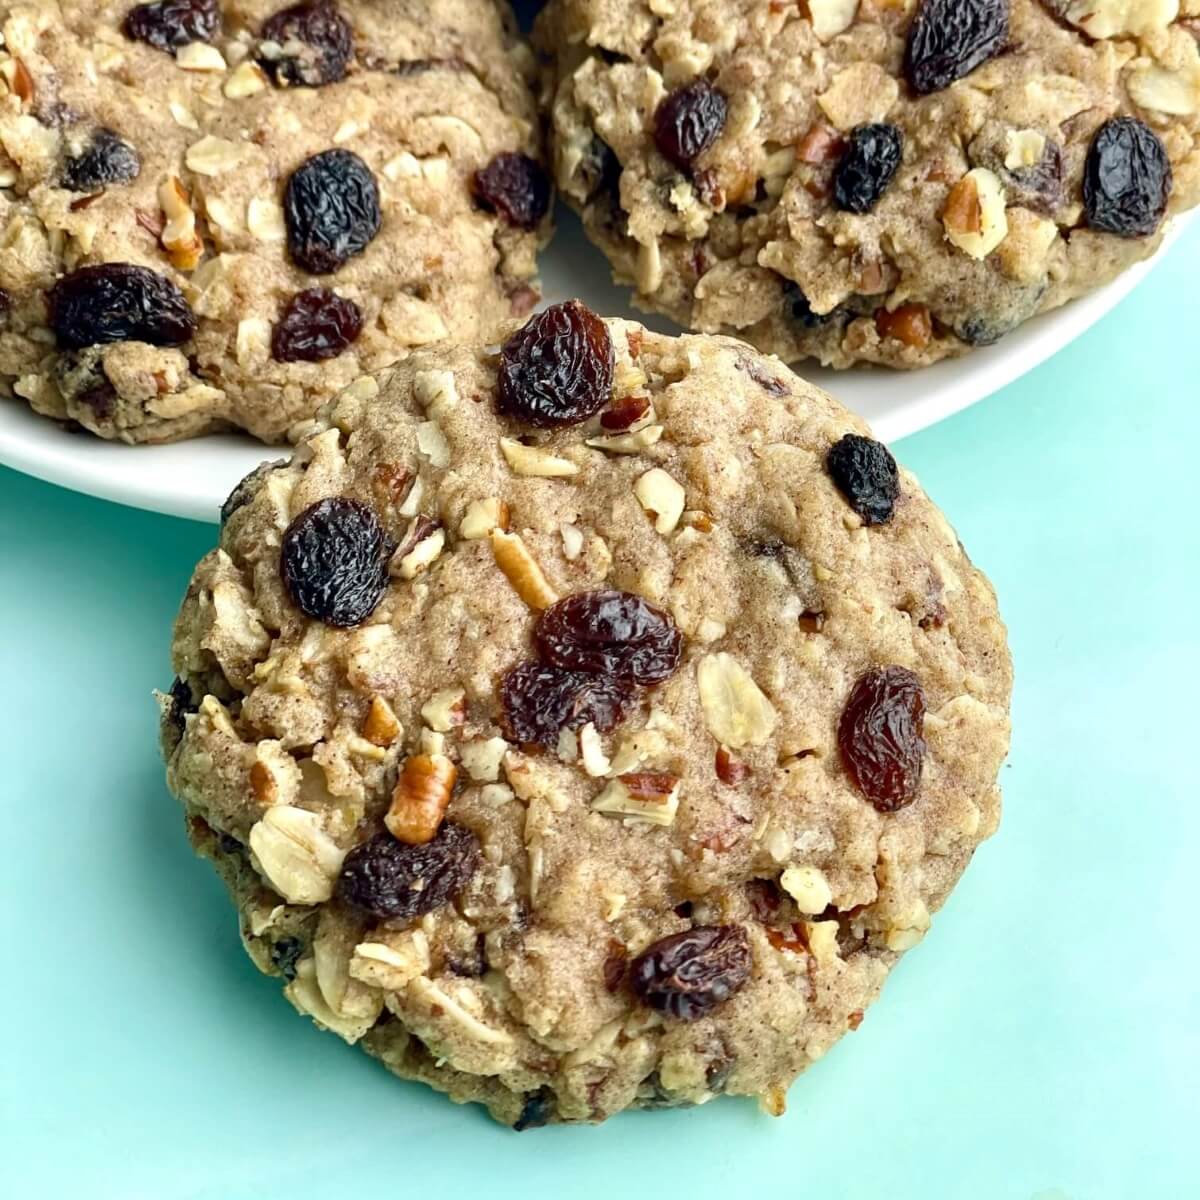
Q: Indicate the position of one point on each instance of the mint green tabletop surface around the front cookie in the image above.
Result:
(1043, 1042)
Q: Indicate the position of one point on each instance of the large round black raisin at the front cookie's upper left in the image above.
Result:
(334, 562)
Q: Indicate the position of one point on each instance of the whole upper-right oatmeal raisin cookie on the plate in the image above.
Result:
(890, 182)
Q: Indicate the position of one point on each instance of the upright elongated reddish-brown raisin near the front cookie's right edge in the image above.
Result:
(881, 737)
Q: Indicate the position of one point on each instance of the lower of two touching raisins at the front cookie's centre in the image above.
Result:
(541, 701)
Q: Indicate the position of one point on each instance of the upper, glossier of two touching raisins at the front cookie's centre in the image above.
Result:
(611, 634)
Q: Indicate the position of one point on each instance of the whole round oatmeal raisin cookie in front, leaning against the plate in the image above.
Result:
(590, 725)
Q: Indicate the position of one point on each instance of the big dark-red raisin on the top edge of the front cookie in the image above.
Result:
(557, 370)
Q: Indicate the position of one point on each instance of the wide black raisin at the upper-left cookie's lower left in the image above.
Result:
(119, 303)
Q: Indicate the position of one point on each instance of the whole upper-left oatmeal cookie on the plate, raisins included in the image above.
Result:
(221, 214)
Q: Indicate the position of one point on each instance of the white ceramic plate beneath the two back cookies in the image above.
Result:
(190, 479)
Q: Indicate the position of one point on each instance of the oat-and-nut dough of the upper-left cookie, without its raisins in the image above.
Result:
(433, 94)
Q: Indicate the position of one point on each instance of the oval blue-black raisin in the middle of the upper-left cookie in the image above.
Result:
(332, 206)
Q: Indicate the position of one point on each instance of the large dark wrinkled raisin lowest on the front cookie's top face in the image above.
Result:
(687, 975)
